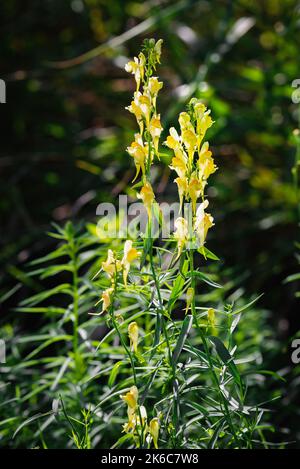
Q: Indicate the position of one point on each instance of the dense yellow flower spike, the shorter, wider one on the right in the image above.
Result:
(193, 164)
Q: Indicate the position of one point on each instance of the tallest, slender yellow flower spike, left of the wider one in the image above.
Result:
(143, 106)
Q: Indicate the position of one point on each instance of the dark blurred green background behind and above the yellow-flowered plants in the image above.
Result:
(64, 131)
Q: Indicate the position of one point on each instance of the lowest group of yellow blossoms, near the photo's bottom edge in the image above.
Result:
(137, 418)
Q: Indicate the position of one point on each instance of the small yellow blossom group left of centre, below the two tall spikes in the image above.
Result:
(112, 266)
